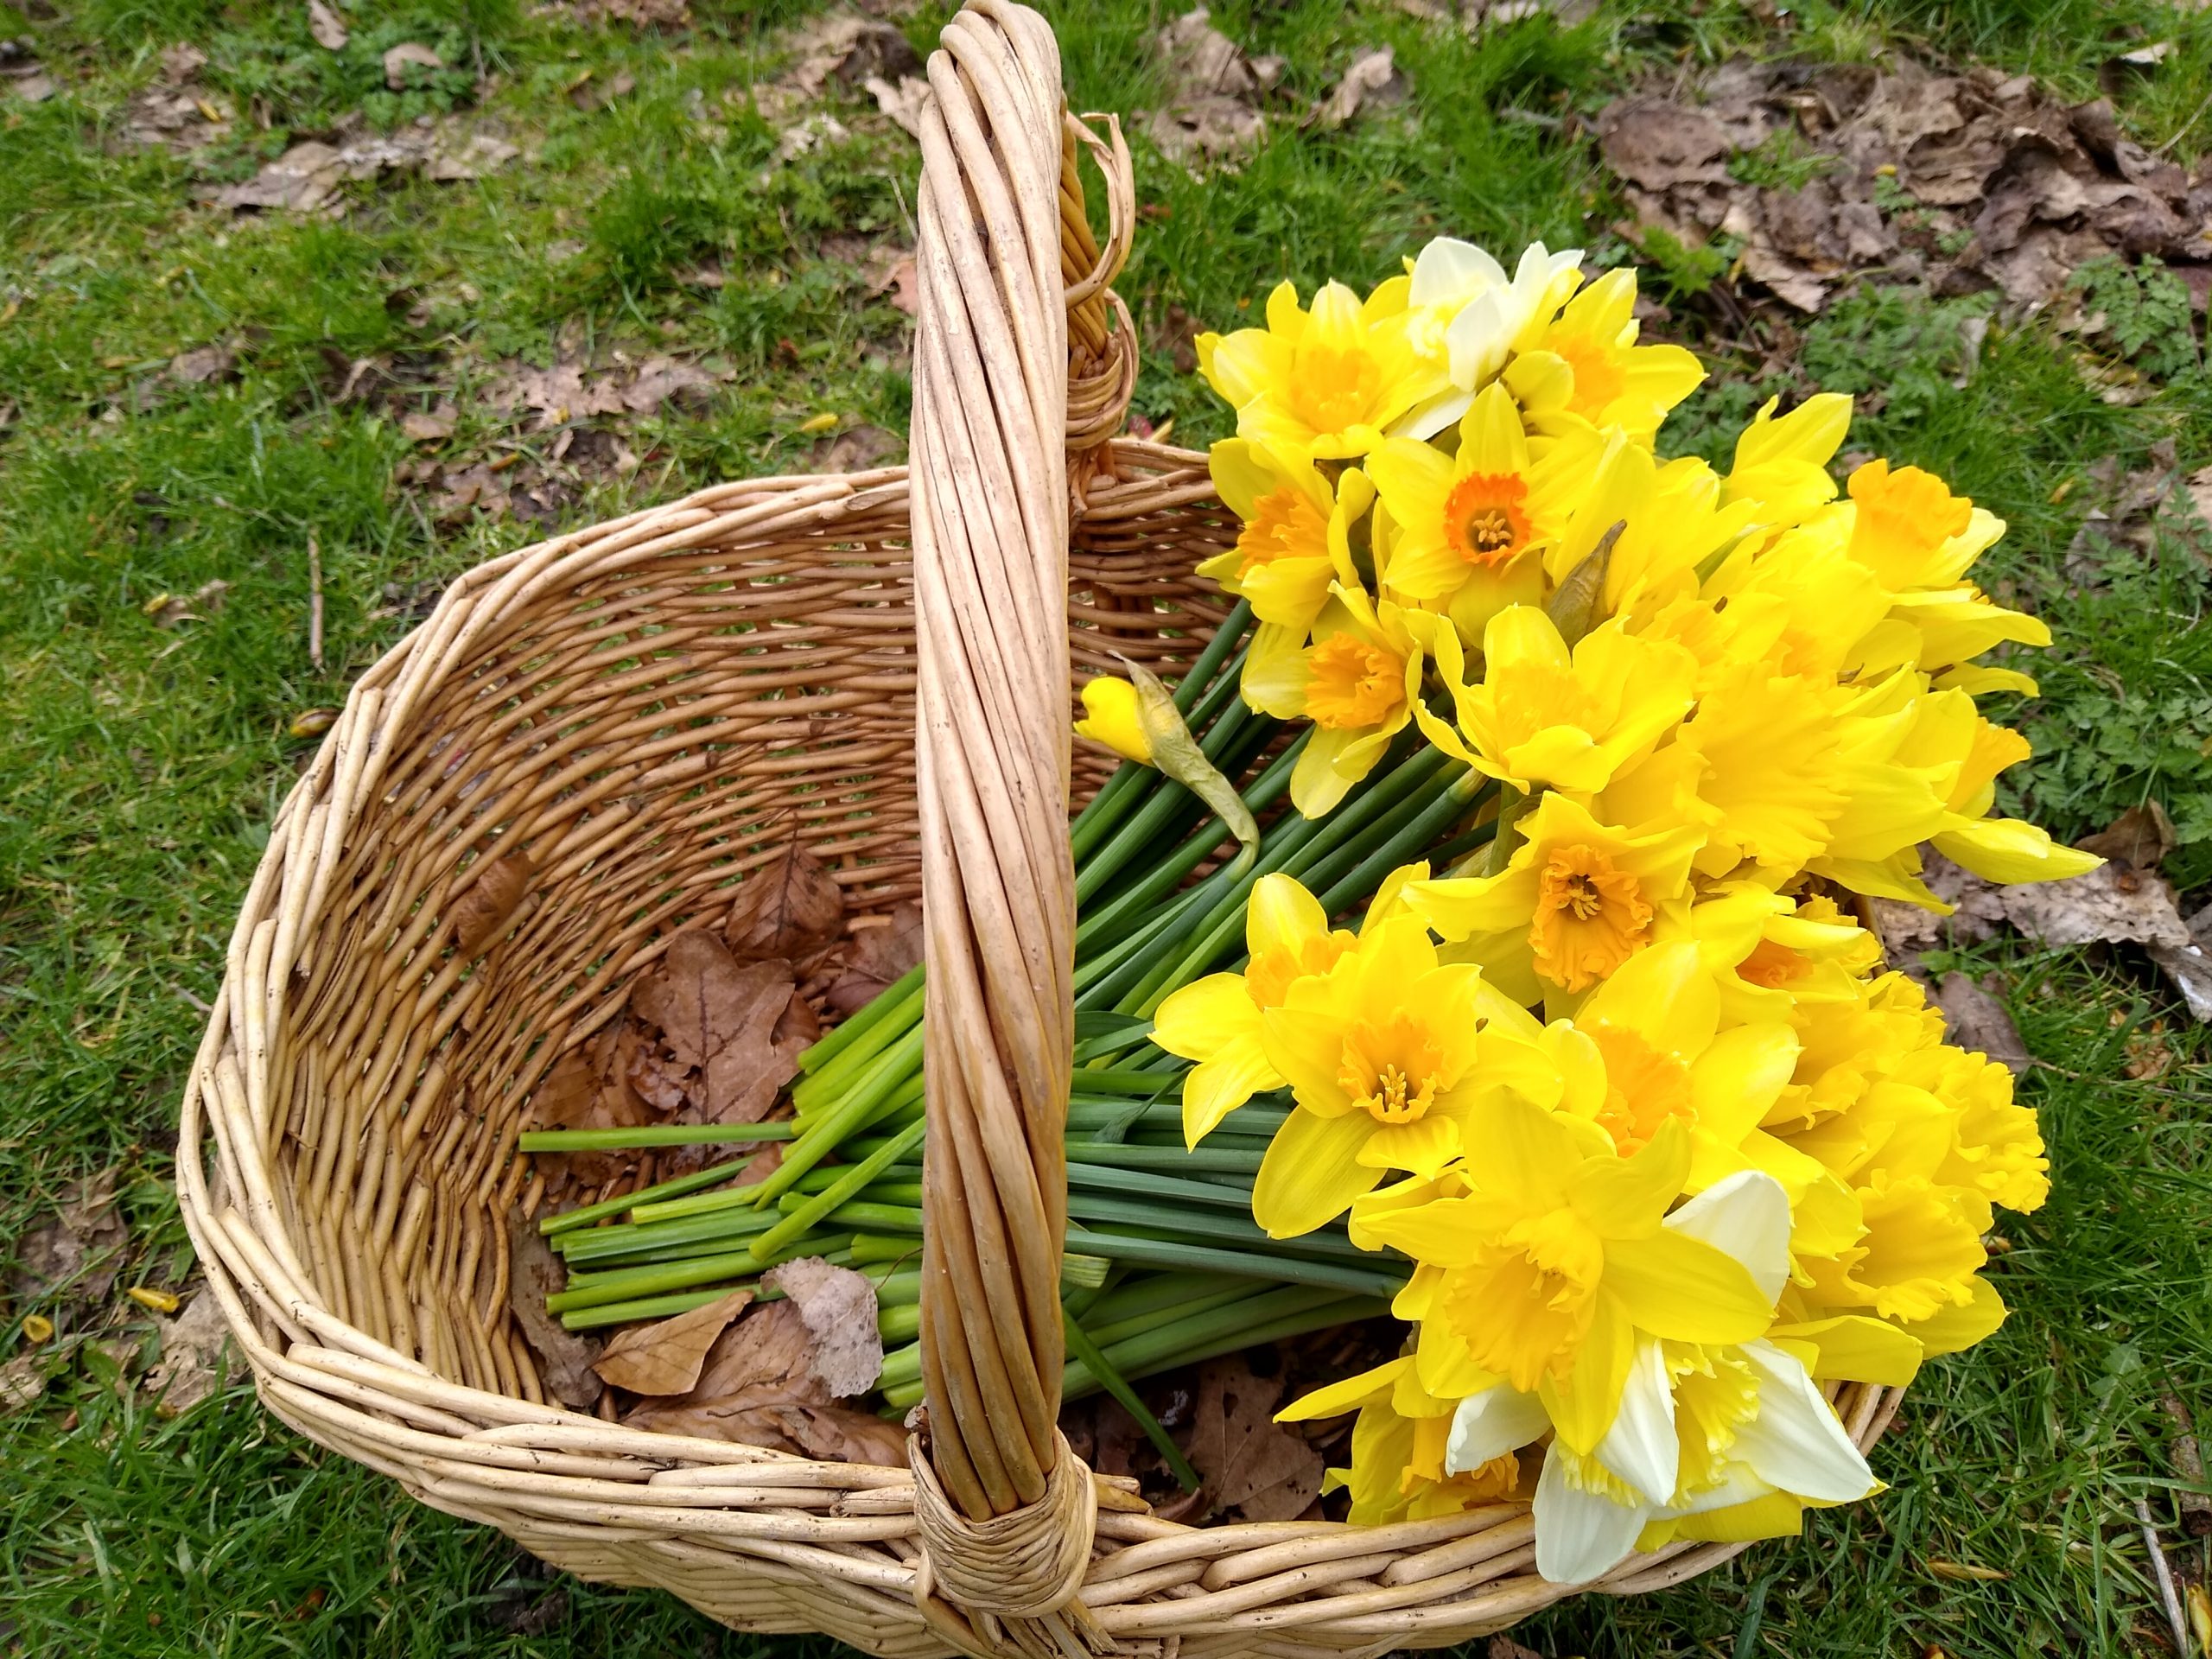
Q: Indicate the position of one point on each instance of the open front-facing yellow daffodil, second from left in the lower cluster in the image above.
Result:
(1381, 1063)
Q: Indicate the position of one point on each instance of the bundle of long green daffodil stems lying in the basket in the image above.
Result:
(1165, 1262)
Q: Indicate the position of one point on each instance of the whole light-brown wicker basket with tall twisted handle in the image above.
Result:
(651, 709)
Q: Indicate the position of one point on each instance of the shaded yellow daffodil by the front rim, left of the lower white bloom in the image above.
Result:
(1399, 1446)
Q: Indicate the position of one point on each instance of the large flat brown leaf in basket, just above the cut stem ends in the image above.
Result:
(727, 1023)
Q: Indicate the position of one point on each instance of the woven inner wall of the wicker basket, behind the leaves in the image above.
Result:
(647, 733)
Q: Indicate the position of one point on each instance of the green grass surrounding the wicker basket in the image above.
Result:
(140, 766)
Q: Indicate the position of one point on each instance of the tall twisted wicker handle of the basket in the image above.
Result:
(1005, 255)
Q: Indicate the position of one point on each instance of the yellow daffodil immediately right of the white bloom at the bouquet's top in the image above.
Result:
(1587, 366)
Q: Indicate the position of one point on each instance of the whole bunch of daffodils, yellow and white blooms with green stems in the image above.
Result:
(1607, 1096)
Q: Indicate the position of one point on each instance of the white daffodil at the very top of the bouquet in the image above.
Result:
(1468, 309)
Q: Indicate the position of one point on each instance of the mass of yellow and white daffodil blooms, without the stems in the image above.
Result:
(1667, 1149)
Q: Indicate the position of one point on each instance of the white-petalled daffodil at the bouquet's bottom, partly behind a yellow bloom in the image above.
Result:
(1698, 1428)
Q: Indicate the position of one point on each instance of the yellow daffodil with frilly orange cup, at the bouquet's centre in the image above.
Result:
(1572, 906)
